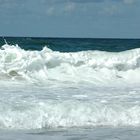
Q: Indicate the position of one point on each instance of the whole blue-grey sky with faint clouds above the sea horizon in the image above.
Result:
(70, 18)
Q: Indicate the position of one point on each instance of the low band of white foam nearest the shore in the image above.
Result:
(67, 114)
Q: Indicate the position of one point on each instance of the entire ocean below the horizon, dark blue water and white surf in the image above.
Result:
(69, 89)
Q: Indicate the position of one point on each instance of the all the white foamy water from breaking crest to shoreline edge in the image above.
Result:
(72, 105)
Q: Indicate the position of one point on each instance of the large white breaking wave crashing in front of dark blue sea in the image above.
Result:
(97, 67)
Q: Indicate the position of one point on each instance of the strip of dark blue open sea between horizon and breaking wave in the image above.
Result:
(73, 44)
